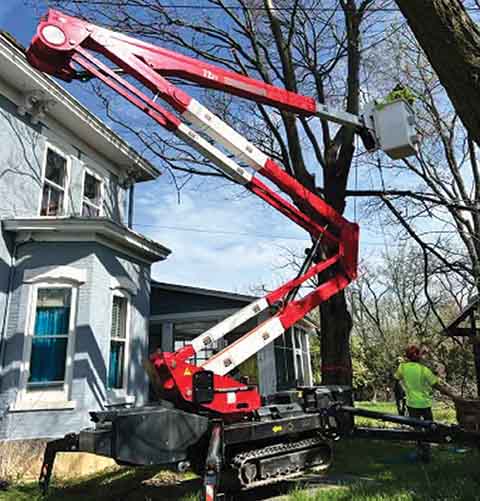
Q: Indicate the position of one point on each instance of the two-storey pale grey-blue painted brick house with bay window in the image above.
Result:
(74, 280)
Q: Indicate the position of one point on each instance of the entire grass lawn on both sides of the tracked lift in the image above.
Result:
(383, 471)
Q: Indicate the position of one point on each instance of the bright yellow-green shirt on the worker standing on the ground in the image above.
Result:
(417, 381)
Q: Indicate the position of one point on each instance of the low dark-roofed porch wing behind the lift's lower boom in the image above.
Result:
(179, 313)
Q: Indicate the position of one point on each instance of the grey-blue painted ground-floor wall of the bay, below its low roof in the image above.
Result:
(92, 336)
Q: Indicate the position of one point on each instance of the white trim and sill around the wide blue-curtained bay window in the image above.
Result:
(47, 398)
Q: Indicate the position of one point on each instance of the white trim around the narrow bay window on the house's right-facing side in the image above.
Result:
(116, 396)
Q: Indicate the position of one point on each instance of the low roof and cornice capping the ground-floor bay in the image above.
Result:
(100, 229)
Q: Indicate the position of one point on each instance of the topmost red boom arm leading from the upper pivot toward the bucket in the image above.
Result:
(54, 58)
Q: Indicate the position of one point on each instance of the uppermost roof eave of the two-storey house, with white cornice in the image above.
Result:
(22, 79)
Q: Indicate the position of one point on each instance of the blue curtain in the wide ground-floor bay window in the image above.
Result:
(47, 362)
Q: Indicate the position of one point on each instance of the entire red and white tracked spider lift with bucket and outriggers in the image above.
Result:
(206, 419)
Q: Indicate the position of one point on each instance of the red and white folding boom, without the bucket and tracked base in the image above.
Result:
(64, 43)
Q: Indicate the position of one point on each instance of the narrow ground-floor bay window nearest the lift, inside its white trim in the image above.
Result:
(118, 343)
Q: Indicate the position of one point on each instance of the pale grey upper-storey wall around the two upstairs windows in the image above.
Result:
(22, 164)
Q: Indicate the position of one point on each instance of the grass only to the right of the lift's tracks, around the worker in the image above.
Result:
(453, 474)
